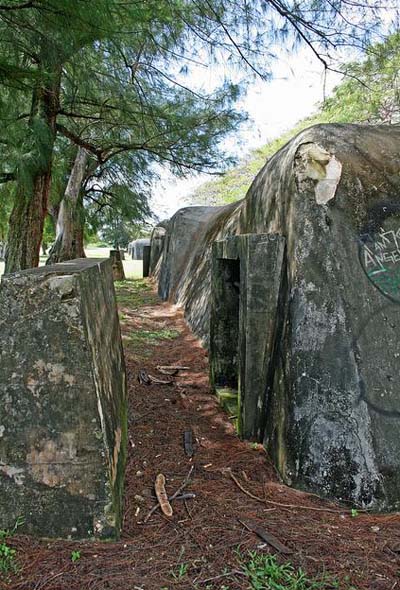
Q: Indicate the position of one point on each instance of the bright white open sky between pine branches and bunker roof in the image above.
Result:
(297, 86)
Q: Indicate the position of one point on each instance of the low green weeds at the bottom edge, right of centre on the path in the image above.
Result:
(264, 573)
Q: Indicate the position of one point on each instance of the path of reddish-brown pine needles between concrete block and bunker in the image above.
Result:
(204, 545)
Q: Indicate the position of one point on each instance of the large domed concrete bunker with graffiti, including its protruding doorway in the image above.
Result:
(323, 385)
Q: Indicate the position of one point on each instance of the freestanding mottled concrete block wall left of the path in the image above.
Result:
(63, 414)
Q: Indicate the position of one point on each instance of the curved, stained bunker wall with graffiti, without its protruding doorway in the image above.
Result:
(332, 399)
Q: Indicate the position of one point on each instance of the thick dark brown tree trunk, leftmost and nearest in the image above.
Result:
(30, 205)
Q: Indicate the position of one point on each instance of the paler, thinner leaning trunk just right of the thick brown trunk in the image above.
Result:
(69, 230)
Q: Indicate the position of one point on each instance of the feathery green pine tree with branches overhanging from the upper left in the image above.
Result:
(108, 77)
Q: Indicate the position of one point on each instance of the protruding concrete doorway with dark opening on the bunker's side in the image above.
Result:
(246, 280)
